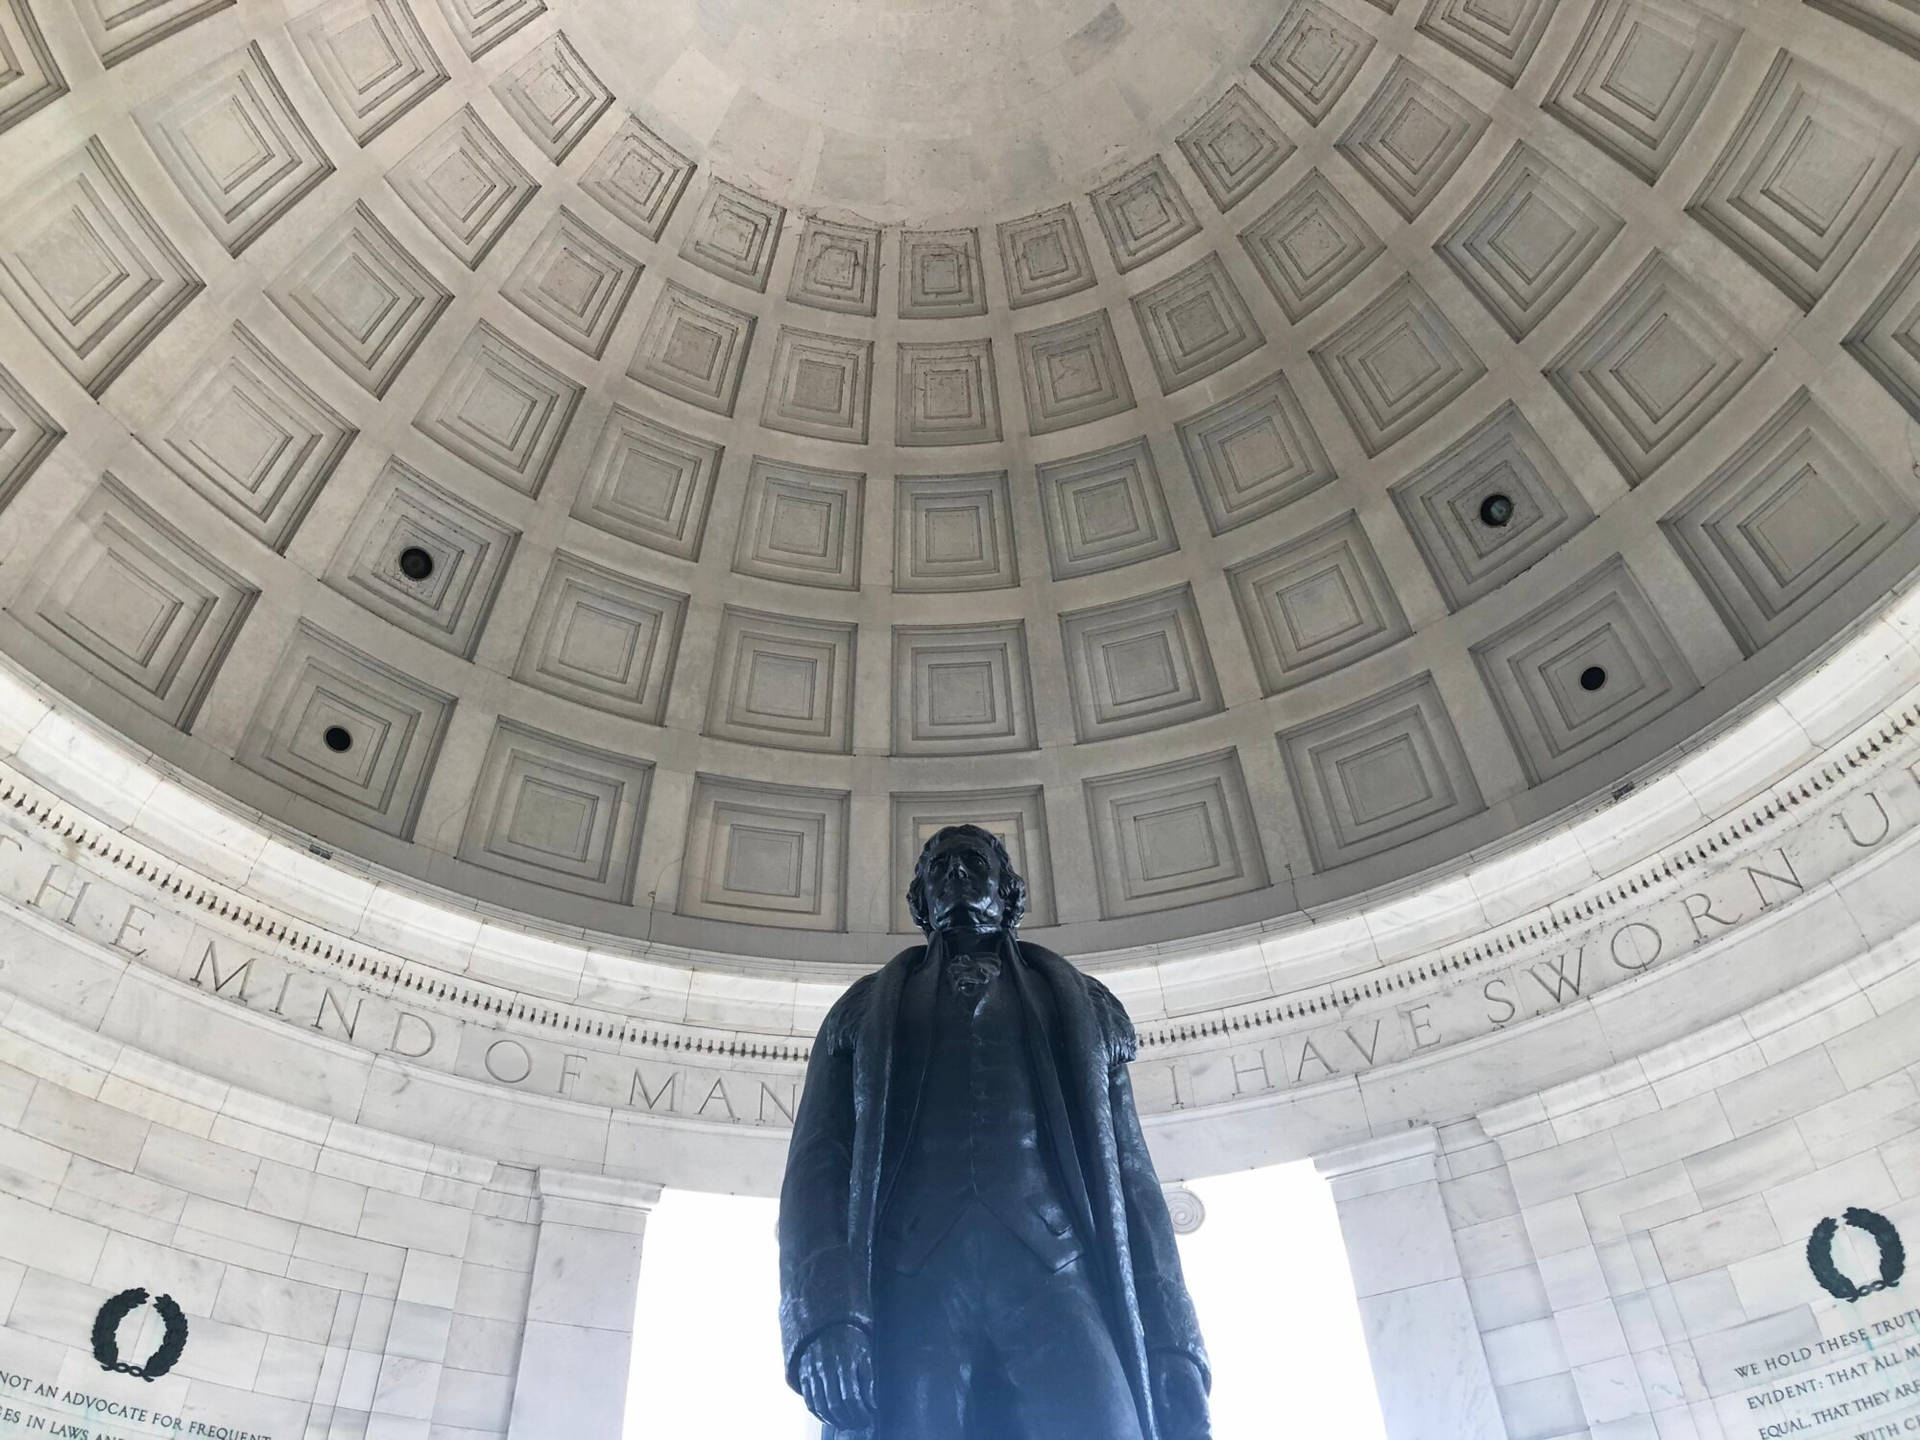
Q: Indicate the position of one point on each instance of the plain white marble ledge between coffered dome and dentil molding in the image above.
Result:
(435, 928)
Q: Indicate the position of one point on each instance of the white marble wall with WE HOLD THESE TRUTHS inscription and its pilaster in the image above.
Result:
(1637, 1253)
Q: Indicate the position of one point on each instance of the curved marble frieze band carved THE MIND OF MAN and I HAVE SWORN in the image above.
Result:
(1773, 853)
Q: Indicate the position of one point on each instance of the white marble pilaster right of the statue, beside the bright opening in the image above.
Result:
(1429, 1368)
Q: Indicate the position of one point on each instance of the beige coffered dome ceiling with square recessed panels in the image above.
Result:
(646, 468)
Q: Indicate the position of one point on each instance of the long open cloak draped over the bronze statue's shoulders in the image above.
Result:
(852, 1128)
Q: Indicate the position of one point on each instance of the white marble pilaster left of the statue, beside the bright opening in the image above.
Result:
(579, 1341)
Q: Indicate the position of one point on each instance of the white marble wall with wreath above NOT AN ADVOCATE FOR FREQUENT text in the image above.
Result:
(335, 1282)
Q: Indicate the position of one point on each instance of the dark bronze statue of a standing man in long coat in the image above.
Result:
(972, 1239)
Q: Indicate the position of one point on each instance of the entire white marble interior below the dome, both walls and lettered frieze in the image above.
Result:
(1585, 1107)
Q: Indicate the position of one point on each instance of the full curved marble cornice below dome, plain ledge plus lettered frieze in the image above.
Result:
(1410, 1009)
